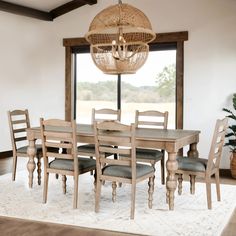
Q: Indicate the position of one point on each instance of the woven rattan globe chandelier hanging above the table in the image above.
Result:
(119, 37)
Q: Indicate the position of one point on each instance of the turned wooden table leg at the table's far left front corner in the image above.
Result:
(31, 151)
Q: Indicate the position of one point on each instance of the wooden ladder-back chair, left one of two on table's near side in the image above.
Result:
(62, 134)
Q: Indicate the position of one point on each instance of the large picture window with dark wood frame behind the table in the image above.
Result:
(158, 85)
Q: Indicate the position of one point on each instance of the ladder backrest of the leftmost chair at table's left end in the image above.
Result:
(18, 122)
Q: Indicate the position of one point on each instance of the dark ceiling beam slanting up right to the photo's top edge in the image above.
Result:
(67, 7)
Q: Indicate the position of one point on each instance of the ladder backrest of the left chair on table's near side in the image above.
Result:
(59, 134)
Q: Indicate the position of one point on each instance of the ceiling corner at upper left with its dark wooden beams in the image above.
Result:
(42, 9)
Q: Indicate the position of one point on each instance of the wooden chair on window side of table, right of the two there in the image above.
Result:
(152, 119)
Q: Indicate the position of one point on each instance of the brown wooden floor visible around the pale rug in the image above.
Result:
(18, 227)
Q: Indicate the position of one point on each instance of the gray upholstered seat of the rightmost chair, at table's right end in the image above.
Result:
(192, 164)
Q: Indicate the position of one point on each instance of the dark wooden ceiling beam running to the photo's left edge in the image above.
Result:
(25, 11)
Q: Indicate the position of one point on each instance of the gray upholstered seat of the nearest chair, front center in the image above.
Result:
(126, 172)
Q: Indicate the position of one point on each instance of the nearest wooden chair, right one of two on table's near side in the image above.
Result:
(109, 139)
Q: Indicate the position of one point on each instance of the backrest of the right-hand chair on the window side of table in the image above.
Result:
(151, 119)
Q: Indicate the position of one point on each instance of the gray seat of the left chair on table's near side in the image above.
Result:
(84, 163)
